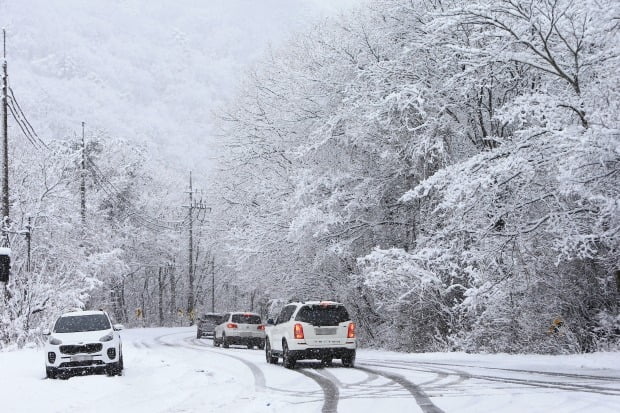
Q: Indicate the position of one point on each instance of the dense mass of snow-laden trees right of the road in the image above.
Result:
(451, 162)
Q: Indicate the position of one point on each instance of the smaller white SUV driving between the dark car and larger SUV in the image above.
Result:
(239, 328)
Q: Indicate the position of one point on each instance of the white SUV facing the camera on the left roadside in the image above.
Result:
(83, 340)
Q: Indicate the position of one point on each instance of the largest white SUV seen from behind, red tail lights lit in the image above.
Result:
(320, 330)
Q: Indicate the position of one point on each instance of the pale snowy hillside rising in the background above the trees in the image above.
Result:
(150, 71)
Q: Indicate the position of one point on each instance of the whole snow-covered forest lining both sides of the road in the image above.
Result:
(448, 169)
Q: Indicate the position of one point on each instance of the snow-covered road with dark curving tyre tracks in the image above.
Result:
(169, 370)
